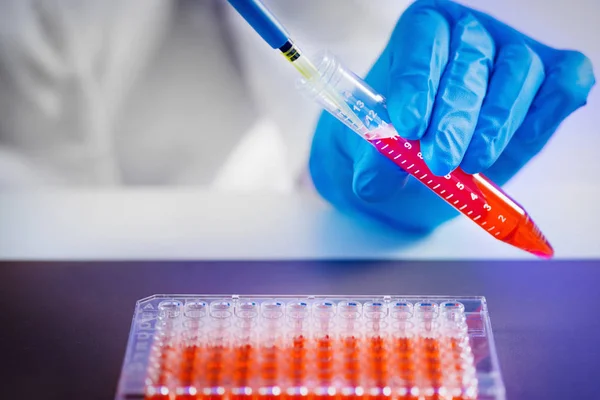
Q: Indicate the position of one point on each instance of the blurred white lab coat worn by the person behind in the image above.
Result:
(155, 92)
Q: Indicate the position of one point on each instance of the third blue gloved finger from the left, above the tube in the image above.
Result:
(517, 77)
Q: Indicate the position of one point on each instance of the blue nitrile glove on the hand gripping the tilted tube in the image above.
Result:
(478, 94)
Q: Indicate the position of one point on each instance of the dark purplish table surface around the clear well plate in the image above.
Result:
(64, 326)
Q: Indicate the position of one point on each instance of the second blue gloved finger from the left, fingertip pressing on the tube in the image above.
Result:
(463, 87)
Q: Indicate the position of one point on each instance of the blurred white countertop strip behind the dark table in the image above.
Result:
(201, 224)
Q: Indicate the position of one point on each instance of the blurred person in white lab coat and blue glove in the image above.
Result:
(172, 93)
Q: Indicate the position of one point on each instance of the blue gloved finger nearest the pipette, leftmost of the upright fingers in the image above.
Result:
(418, 55)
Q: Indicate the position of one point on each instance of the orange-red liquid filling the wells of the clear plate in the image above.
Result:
(301, 368)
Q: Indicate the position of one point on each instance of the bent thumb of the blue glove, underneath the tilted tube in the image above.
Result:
(376, 178)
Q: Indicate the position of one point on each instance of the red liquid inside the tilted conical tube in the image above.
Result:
(474, 196)
